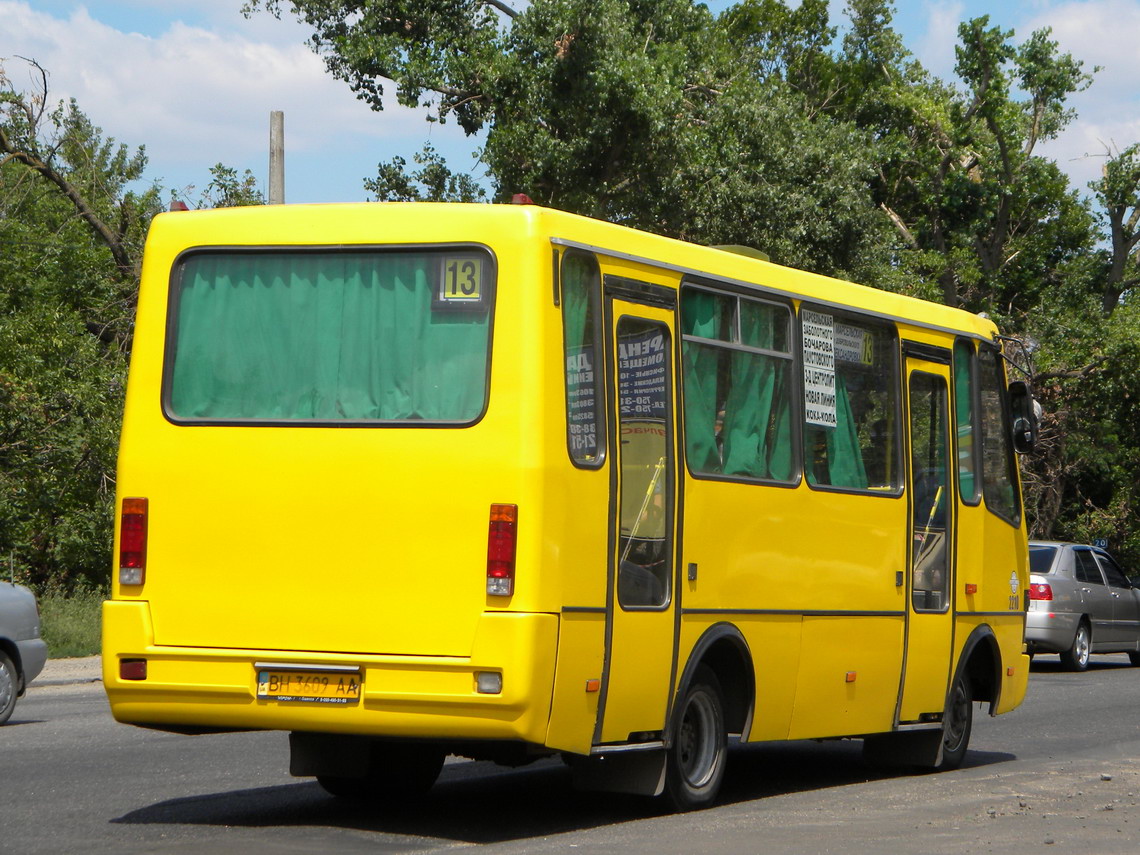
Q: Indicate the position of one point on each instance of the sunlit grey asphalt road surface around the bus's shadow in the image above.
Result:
(1061, 775)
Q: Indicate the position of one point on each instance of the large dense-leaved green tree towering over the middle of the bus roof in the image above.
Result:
(644, 113)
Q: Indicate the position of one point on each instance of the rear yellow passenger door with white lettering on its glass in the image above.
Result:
(642, 592)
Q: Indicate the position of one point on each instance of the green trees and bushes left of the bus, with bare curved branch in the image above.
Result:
(75, 210)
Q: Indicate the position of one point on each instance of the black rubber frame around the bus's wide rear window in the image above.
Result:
(174, 303)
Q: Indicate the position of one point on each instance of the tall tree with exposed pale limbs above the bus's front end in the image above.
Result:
(975, 209)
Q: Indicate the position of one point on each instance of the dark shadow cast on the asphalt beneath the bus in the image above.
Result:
(478, 803)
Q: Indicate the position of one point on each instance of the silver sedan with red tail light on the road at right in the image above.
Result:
(1080, 602)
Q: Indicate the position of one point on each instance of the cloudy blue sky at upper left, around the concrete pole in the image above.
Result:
(198, 95)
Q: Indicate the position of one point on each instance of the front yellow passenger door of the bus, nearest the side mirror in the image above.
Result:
(931, 565)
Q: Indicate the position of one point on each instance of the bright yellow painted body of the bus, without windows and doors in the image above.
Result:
(367, 547)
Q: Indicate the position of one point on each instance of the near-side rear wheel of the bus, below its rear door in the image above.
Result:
(697, 758)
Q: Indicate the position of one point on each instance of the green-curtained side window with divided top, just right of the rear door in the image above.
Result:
(737, 357)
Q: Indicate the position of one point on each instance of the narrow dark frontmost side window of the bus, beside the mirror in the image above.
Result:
(999, 466)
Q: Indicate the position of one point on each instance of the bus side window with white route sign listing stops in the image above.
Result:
(851, 403)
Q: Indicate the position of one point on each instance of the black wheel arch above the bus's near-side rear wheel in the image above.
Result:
(726, 652)
